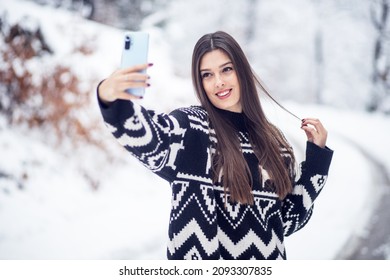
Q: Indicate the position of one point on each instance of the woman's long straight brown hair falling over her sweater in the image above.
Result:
(266, 140)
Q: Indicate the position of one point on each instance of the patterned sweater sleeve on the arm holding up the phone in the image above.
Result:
(154, 139)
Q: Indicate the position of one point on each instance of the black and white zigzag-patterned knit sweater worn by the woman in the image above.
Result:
(179, 148)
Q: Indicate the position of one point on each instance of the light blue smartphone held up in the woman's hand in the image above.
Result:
(134, 52)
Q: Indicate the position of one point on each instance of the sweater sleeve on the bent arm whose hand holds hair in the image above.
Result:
(297, 207)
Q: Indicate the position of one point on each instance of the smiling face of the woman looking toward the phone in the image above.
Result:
(220, 81)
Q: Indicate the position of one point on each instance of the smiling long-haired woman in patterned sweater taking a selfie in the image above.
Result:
(235, 194)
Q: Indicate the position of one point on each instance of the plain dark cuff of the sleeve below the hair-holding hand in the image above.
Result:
(318, 158)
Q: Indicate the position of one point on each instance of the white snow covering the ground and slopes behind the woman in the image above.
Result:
(48, 209)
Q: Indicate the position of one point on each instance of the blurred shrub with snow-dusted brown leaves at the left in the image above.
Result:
(52, 100)
